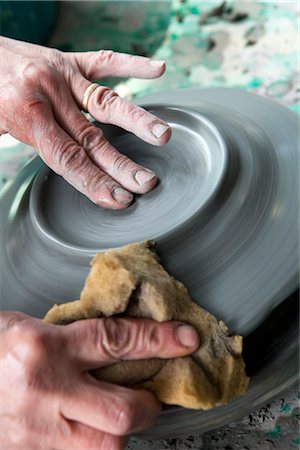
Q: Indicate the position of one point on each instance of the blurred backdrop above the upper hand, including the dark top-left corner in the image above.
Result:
(248, 44)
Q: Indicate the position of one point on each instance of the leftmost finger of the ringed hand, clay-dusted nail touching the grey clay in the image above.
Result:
(68, 159)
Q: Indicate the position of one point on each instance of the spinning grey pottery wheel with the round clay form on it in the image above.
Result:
(224, 217)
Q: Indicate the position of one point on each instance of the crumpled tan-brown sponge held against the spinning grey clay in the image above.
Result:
(132, 282)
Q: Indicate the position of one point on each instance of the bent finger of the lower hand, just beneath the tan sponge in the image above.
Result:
(106, 407)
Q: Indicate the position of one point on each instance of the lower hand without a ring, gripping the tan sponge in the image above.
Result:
(48, 397)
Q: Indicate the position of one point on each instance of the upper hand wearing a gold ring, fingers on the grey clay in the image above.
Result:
(41, 94)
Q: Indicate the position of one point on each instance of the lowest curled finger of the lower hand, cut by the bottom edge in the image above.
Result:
(79, 436)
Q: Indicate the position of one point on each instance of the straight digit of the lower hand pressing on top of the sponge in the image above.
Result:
(98, 342)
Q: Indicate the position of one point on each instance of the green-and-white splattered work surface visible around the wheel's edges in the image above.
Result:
(249, 45)
